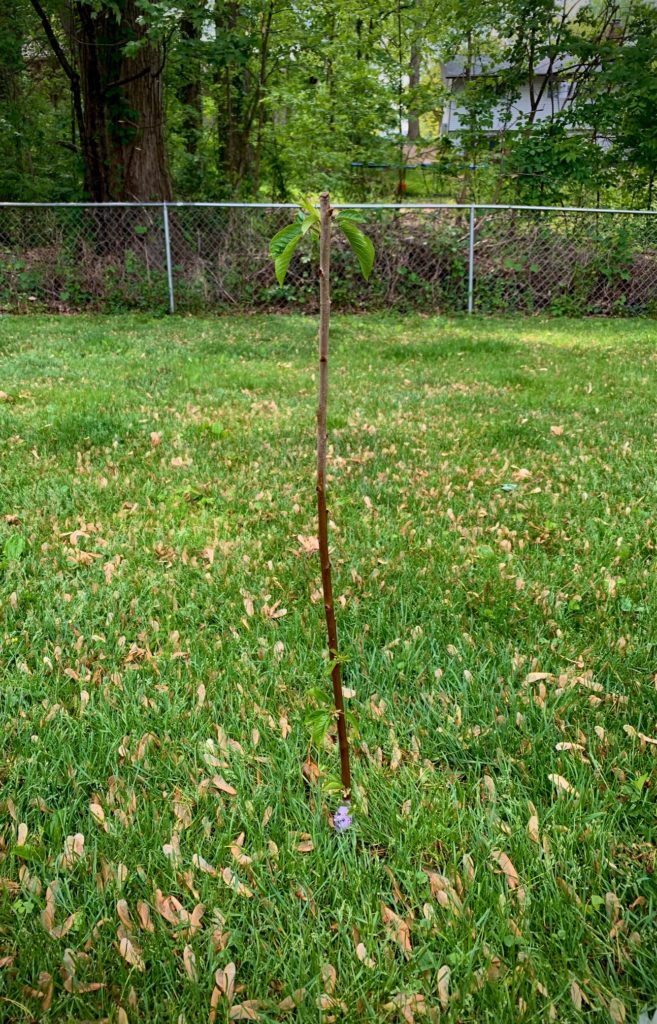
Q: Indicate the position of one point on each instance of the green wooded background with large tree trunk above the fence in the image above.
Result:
(212, 100)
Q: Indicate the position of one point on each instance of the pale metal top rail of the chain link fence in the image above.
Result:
(337, 206)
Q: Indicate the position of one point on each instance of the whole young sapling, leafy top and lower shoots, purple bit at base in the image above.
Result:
(282, 249)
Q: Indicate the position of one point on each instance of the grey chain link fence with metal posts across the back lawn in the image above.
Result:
(214, 259)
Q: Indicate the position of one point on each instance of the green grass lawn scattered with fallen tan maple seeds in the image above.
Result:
(164, 812)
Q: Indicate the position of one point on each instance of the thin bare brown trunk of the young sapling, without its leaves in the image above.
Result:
(323, 513)
